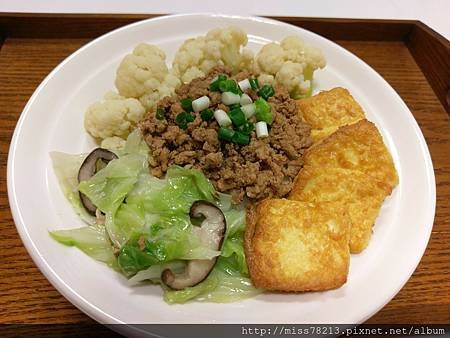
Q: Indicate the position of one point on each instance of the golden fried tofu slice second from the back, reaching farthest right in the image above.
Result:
(358, 146)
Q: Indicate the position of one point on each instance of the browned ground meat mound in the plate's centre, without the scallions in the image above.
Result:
(263, 168)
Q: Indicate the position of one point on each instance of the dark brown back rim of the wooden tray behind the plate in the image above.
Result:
(92, 25)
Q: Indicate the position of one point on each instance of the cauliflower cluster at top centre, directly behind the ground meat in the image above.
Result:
(196, 57)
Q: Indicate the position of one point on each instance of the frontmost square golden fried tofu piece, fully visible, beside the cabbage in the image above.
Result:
(297, 246)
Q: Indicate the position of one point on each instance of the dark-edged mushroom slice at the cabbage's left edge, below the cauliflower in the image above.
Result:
(89, 168)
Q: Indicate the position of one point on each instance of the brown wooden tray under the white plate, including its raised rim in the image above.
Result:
(414, 59)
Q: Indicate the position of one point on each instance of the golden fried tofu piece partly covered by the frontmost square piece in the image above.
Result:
(359, 192)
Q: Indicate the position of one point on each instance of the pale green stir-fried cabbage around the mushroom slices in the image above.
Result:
(145, 227)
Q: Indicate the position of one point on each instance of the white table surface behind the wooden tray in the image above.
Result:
(434, 13)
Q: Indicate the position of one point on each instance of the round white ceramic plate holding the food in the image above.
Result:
(53, 120)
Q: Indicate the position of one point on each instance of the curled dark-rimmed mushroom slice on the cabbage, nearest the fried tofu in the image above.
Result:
(212, 233)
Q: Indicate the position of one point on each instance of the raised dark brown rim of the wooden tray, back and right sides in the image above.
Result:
(430, 49)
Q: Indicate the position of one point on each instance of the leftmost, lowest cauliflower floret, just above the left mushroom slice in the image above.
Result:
(114, 115)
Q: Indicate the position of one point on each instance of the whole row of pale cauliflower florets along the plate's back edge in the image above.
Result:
(143, 77)
